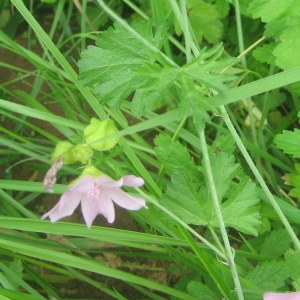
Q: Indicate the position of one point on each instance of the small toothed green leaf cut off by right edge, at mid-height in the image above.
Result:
(289, 142)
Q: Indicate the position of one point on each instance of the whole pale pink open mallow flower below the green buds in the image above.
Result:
(96, 196)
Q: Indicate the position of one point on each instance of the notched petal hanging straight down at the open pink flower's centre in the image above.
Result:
(92, 207)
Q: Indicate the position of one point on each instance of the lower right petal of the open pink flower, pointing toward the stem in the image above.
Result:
(125, 200)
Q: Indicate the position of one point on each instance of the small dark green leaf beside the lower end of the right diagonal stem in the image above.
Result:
(275, 243)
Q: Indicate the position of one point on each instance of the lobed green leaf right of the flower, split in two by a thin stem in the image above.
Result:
(188, 196)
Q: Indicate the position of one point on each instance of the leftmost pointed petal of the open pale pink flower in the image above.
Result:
(65, 206)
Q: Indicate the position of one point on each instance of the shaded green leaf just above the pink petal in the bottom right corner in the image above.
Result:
(269, 275)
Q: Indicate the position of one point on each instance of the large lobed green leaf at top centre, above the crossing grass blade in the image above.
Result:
(122, 66)
